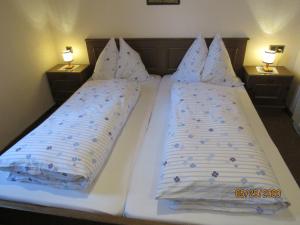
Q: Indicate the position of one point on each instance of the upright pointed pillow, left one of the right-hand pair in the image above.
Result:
(192, 64)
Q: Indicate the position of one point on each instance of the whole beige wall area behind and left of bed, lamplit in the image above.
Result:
(28, 47)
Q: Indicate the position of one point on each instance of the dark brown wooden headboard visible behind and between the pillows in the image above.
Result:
(163, 55)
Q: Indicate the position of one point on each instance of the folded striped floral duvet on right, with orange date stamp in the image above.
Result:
(211, 158)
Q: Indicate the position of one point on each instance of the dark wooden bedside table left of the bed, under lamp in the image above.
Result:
(64, 83)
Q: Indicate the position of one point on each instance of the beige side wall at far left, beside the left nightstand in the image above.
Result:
(26, 52)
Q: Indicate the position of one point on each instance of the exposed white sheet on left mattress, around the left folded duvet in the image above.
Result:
(108, 194)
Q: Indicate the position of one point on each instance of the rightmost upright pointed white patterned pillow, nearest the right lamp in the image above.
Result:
(218, 68)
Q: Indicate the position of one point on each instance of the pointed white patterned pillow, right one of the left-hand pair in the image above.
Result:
(130, 65)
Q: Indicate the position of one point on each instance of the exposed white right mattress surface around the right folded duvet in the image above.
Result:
(141, 202)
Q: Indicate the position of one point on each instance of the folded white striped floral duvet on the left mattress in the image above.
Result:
(71, 147)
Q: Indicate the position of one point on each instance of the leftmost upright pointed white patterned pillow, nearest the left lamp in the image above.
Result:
(106, 64)
